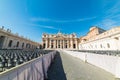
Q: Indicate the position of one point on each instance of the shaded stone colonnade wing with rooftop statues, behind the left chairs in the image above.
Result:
(9, 40)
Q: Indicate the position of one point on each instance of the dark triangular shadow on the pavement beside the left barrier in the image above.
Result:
(56, 71)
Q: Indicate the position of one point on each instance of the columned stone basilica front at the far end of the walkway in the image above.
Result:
(60, 41)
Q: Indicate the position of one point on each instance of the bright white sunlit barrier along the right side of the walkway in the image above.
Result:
(108, 63)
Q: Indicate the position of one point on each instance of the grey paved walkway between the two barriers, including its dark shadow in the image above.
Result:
(66, 67)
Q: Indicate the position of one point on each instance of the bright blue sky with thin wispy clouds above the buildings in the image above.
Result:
(31, 18)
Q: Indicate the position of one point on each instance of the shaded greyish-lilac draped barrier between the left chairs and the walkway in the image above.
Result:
(35, 69)
